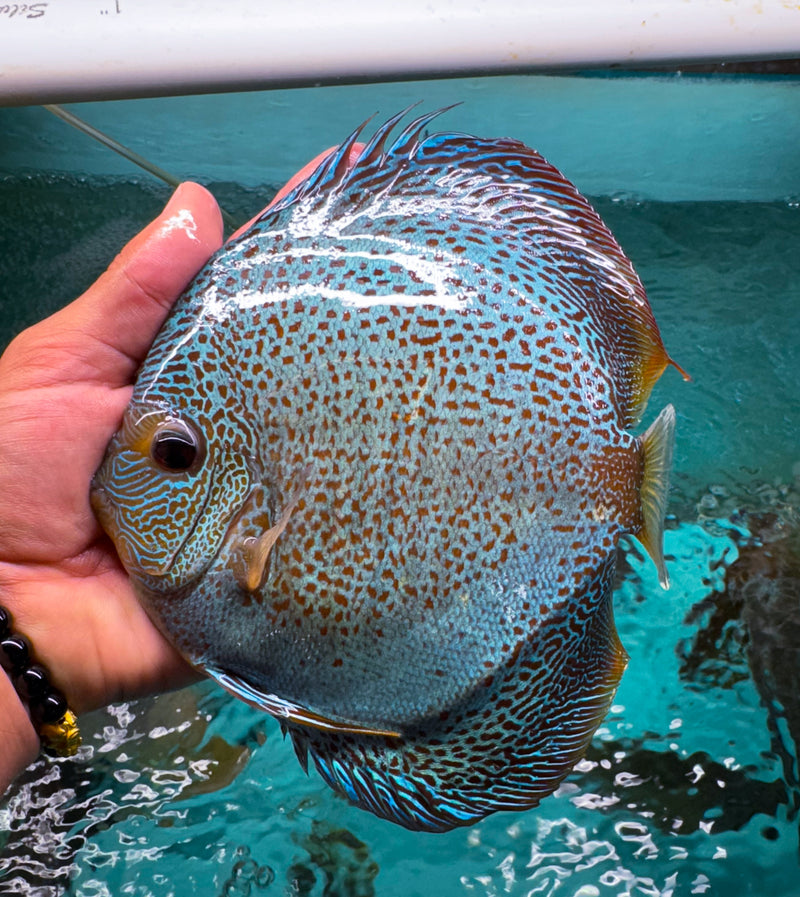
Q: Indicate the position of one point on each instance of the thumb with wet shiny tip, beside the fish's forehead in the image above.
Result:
(112, 325)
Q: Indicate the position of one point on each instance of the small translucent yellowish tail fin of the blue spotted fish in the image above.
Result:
(657, 445)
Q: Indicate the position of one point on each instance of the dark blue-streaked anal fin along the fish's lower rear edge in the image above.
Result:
(506, 746)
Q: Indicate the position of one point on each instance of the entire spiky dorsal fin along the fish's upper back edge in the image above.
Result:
(504, 189)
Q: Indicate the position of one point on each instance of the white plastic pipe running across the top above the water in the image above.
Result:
(100, 49)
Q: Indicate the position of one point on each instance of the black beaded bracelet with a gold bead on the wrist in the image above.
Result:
(50, 715)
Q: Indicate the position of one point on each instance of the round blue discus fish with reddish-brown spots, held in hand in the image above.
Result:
(377, 462)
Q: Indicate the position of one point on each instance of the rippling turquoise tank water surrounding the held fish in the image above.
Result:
(691, 785)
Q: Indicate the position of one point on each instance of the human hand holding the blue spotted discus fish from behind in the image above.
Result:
(64, 384)
